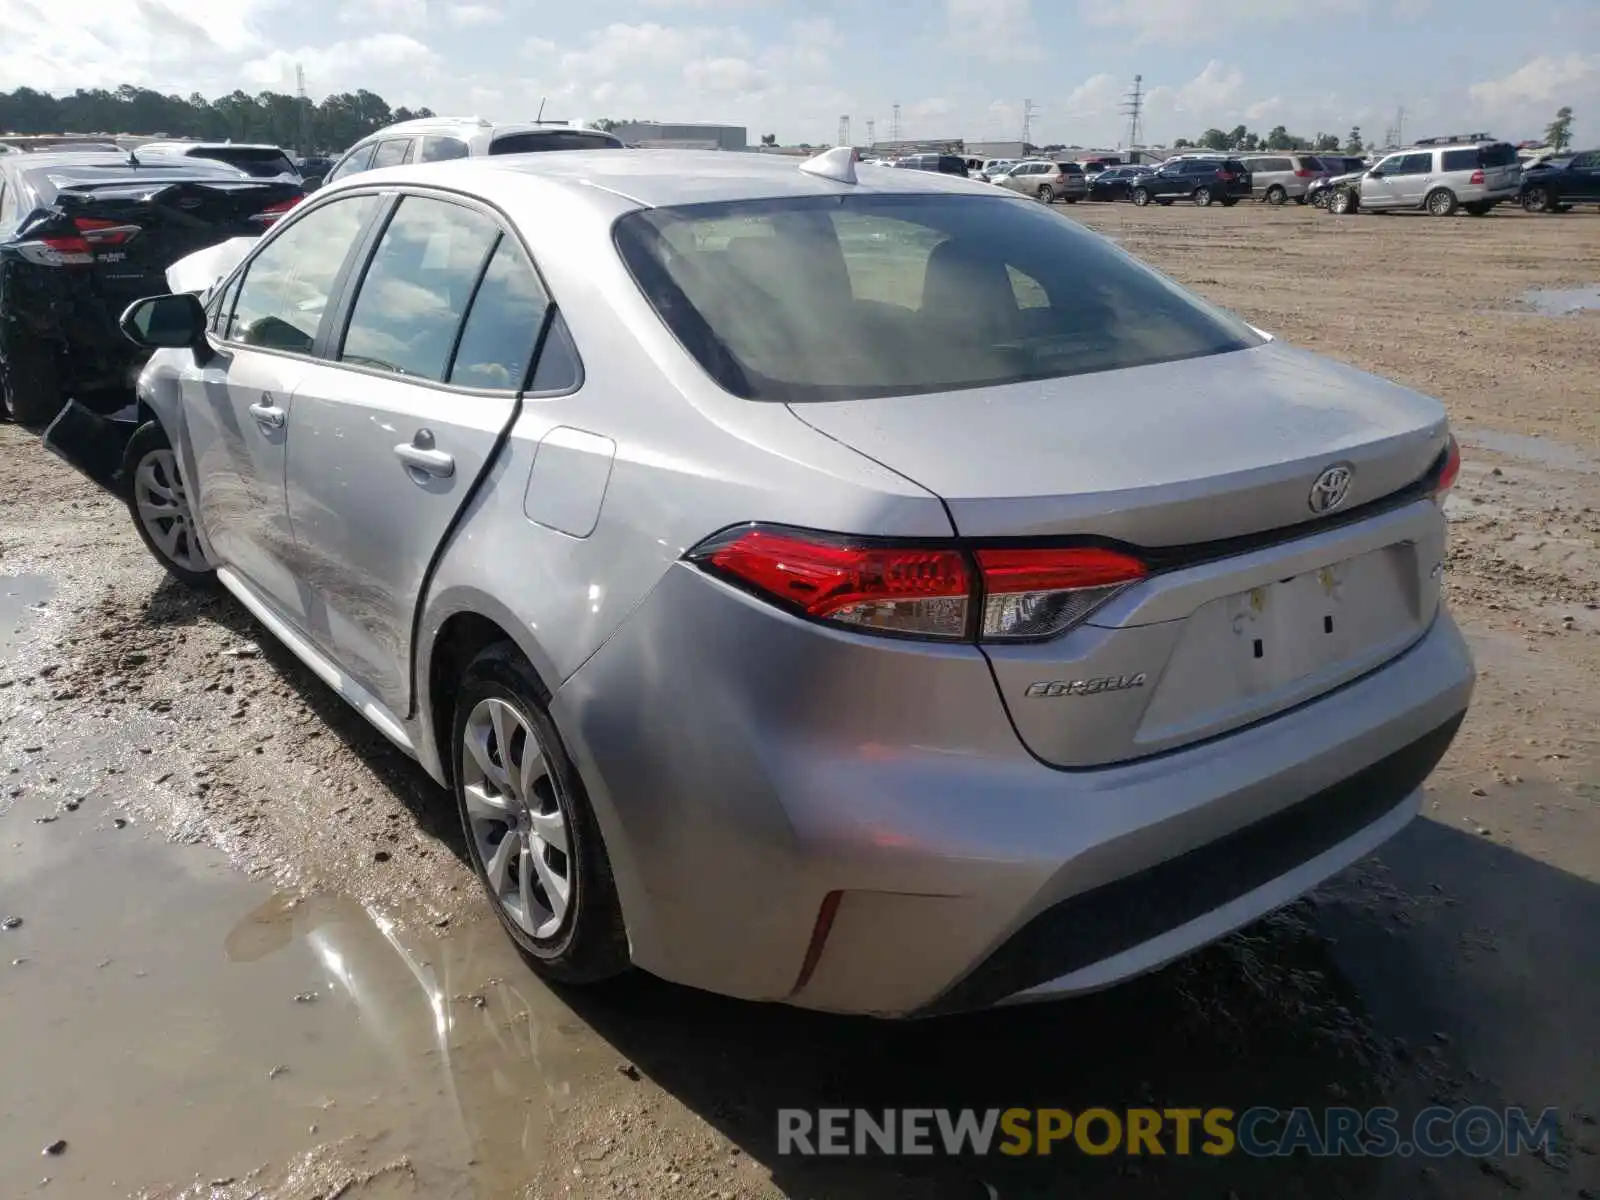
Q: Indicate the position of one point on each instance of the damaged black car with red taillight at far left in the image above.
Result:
(86, 234)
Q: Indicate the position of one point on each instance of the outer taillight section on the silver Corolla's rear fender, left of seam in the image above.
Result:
(916, 591)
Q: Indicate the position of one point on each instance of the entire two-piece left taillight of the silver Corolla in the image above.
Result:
(921, 591)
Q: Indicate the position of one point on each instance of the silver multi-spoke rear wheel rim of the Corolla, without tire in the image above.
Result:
(516, 818)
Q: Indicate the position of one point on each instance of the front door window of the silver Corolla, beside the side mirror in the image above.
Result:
(286, 287)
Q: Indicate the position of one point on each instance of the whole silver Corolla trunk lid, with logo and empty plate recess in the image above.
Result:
(1182, 458)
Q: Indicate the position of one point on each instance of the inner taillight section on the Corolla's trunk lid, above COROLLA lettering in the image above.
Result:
(1034, 594)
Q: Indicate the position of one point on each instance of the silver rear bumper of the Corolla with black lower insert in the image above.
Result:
(746, 766)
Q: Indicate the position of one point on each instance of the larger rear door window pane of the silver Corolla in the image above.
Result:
(417, 287)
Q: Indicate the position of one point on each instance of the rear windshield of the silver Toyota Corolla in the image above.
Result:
(841, 298)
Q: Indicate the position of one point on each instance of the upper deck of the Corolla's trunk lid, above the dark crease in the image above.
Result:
(1169, 455)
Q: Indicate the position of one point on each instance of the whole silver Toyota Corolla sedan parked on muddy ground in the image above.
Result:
(817, 583)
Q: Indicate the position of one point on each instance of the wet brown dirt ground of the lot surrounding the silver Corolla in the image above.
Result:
(254, 964)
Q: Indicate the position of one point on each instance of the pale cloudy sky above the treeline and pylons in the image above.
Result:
(793, 68)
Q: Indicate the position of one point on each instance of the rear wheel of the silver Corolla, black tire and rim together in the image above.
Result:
(540, 806)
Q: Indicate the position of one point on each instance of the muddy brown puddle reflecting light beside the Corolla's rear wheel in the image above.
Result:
(172, 1028)
